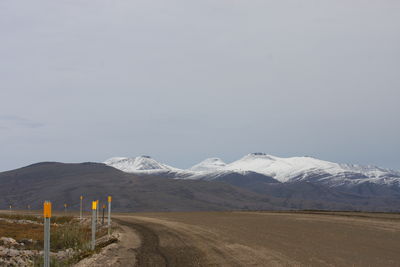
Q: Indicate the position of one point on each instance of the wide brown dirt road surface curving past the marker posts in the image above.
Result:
(261, 239)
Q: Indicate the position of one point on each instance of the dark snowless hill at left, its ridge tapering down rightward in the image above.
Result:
(64, 183)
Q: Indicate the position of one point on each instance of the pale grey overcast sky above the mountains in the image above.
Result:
(182, 81)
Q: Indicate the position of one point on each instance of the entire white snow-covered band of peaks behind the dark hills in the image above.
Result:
(293, 169)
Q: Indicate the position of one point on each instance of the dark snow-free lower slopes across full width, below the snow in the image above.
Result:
(64, 183)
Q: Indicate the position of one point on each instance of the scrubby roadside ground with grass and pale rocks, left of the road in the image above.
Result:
(21, 240)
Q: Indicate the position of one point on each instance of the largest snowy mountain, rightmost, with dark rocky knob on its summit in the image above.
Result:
(312, 169)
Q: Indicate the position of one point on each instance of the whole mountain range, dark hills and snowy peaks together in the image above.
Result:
(255, 182)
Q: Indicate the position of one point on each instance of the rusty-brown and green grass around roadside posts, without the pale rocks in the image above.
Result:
(70, 238)
